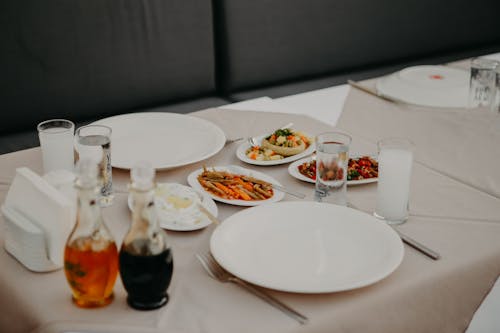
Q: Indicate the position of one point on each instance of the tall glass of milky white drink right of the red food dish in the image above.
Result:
(395, 159)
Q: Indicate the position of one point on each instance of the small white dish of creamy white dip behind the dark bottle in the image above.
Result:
(176, 207)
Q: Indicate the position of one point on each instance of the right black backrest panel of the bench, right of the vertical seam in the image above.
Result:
(271, 41)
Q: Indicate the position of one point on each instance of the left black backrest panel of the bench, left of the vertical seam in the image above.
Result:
(80, 59)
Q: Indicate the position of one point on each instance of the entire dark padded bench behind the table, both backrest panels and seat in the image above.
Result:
(86, 59)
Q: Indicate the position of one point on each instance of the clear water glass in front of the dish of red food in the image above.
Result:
(332, 157)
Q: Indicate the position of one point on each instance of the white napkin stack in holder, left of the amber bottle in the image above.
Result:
(38, 220)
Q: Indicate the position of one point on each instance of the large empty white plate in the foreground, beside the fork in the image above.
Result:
(306, 247)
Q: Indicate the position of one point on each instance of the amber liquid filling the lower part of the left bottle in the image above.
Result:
(91, 272)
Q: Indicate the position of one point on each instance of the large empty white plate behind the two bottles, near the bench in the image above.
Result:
(167, 140)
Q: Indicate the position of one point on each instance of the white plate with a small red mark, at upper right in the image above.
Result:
(434, 86)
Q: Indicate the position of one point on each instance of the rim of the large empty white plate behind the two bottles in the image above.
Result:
(218, 132)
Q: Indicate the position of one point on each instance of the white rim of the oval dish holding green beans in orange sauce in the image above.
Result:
(277, 195)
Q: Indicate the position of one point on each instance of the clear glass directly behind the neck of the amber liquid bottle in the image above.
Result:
(94, 142)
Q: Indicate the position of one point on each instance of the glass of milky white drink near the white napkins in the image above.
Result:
(56, 142)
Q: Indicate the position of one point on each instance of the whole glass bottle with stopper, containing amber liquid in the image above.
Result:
(91, 255)
